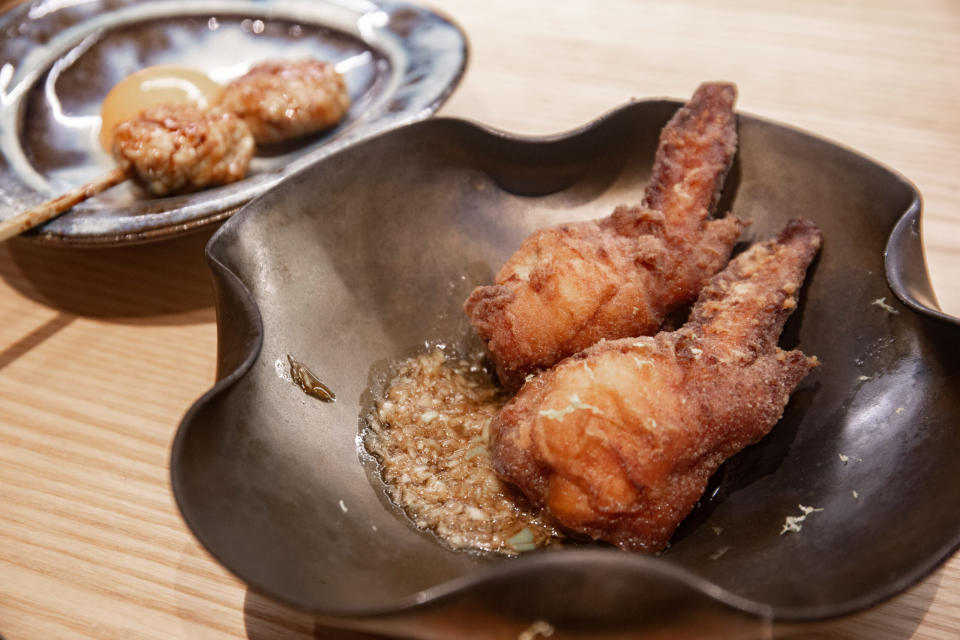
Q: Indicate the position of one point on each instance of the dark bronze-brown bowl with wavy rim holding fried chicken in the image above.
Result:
(362, 258)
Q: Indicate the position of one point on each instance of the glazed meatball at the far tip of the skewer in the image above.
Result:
(284, 99)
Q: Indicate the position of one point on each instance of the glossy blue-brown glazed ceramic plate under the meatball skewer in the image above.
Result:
(59, 59)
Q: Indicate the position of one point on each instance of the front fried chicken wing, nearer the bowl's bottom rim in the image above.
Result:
(618, 442)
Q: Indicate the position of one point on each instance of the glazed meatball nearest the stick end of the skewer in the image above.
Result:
(178, 148)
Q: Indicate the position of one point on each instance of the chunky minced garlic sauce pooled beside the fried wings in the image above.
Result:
(430, 435)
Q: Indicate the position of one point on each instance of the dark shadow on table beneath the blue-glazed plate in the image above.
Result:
(160, 283)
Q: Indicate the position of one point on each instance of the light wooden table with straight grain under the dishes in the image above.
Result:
(102, 351)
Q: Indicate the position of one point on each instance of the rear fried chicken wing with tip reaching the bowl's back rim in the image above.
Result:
(571, 285)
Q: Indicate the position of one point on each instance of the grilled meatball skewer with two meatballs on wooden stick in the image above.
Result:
(179, 148)
